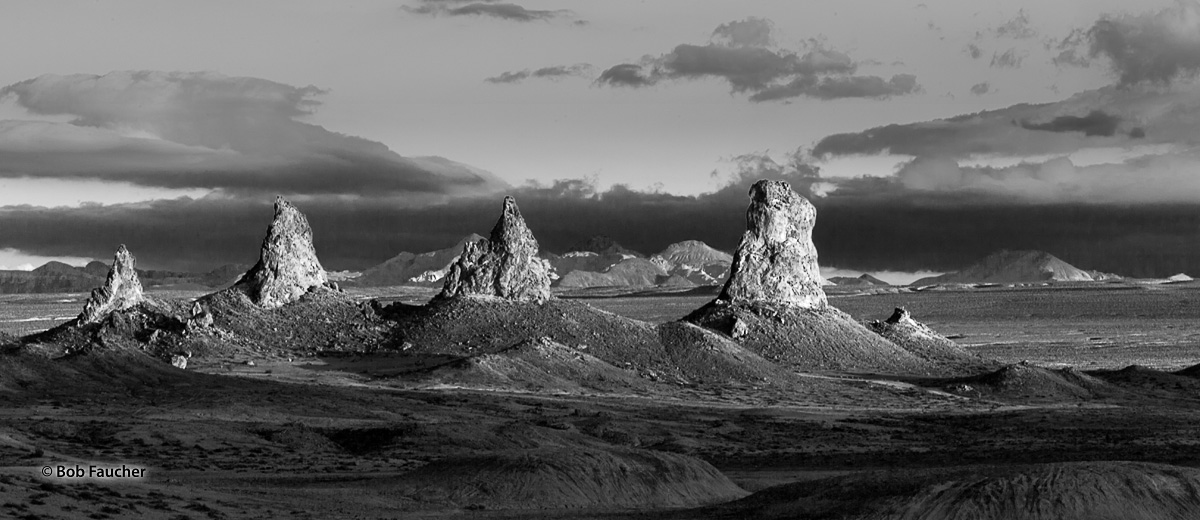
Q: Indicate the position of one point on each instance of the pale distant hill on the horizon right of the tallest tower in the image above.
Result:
(1013, 267)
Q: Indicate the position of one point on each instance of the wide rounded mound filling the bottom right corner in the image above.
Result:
(1051, 492)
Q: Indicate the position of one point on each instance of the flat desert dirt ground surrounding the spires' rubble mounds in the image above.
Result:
(343, 437)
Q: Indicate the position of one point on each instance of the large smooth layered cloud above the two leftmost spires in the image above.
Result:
(202, 130)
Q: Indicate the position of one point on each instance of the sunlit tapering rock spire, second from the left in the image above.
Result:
(289, 266)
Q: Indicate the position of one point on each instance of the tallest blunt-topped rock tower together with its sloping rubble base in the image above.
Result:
(773, 303)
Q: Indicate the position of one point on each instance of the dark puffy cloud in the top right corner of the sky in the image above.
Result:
(1154, 47)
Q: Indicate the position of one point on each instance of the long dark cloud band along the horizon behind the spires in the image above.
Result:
(867, 224)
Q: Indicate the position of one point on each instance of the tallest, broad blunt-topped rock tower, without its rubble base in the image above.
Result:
(776, 261)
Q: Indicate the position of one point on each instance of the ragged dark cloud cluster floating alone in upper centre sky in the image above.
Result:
(742, 57)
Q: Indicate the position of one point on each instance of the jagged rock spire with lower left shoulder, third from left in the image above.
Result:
(506, 265)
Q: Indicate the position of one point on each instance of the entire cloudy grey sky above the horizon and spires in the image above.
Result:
(928, 134)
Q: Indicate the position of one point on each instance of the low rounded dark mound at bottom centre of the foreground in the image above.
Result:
(577, 477)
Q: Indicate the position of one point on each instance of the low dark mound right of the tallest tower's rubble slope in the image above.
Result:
(1028, 384)
